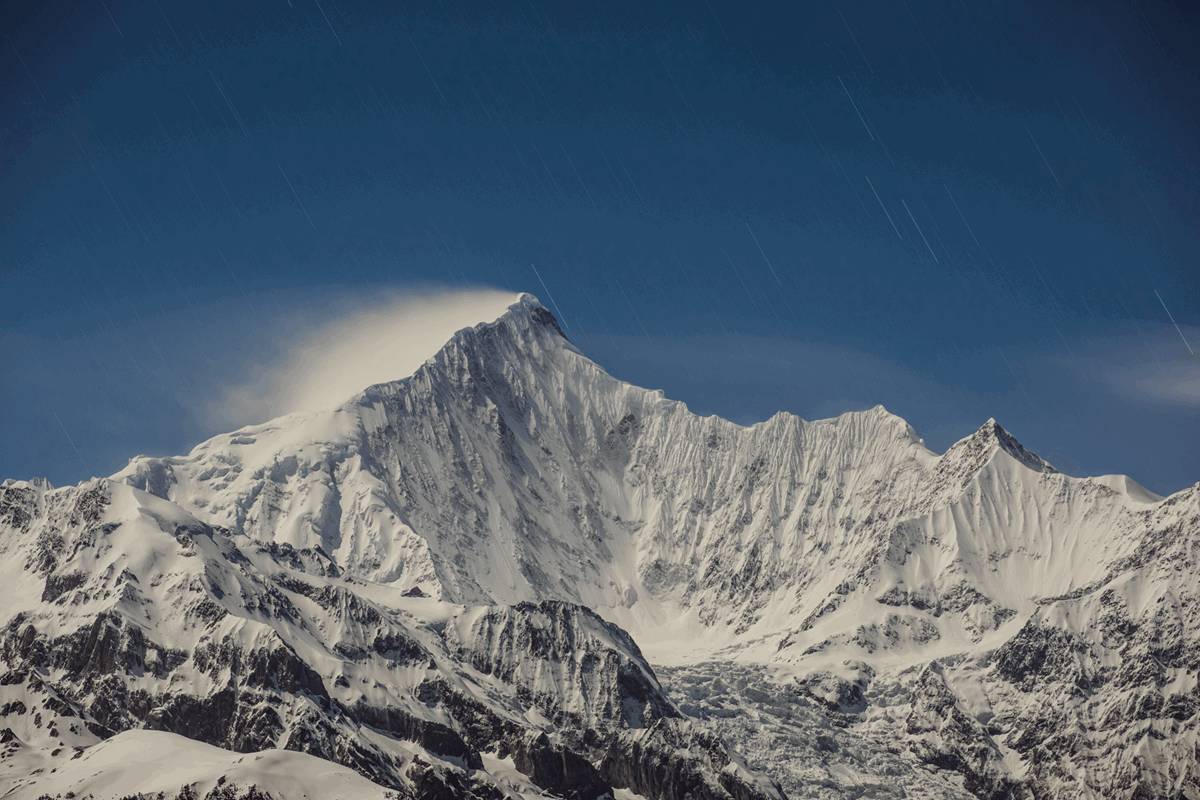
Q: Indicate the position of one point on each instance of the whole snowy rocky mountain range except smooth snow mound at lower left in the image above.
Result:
(433, 586)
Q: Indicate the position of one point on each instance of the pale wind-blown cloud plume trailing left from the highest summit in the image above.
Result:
(386, 340)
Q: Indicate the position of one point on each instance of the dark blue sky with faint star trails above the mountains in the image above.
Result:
(961, 210)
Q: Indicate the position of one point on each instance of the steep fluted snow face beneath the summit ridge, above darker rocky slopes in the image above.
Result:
(511, 468)
